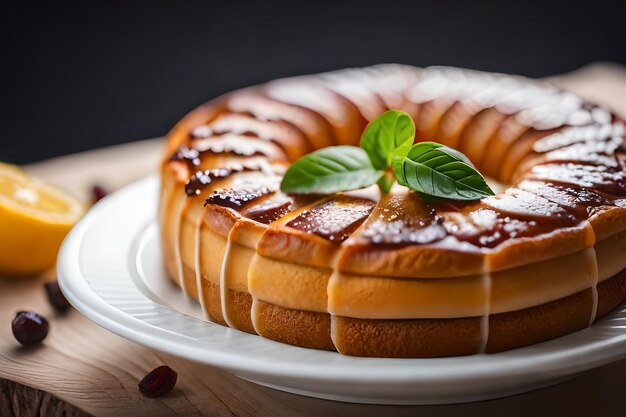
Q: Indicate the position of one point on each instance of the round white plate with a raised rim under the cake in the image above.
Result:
(110, 269)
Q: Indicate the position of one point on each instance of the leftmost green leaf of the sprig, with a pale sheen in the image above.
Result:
(330, 170)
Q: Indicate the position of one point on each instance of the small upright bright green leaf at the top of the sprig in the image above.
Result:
(393, 129)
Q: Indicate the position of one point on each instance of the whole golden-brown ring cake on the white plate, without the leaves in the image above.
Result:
(395, 275)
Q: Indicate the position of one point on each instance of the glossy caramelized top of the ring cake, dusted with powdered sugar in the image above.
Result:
(563, 158)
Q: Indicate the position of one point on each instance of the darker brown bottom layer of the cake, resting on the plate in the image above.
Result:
(411, 338)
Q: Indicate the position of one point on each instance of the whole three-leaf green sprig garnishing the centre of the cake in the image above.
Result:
(387, 154)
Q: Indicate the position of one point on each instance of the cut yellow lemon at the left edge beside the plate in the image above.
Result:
(34, 219)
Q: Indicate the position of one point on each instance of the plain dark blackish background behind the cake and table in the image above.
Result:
(81, 75)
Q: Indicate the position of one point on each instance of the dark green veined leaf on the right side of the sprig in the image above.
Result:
(439, 171)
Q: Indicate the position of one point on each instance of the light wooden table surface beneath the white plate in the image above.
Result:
(82, 369)
